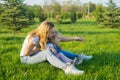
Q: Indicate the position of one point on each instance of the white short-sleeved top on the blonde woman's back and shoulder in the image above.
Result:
(35, 41)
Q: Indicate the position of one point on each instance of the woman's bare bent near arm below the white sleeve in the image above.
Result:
(30, 49)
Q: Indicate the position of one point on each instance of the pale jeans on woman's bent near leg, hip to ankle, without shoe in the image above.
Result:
(43, 56)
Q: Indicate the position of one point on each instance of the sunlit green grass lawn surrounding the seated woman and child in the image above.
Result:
(103, 43)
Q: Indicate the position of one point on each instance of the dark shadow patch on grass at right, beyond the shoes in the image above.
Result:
(101, 61)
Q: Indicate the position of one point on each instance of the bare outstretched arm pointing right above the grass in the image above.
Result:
(65, 38)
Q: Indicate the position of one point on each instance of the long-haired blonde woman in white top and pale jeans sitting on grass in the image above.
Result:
(34, 49)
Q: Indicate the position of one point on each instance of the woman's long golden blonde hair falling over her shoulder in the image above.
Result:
(42, 31)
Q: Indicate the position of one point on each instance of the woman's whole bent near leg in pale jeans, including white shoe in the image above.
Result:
(47, 55)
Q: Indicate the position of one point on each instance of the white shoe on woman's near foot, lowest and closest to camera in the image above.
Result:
(72, 70)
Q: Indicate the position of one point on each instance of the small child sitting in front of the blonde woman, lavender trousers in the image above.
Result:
(56, 50)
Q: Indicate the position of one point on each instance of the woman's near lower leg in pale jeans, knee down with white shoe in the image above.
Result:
(58, 63)
